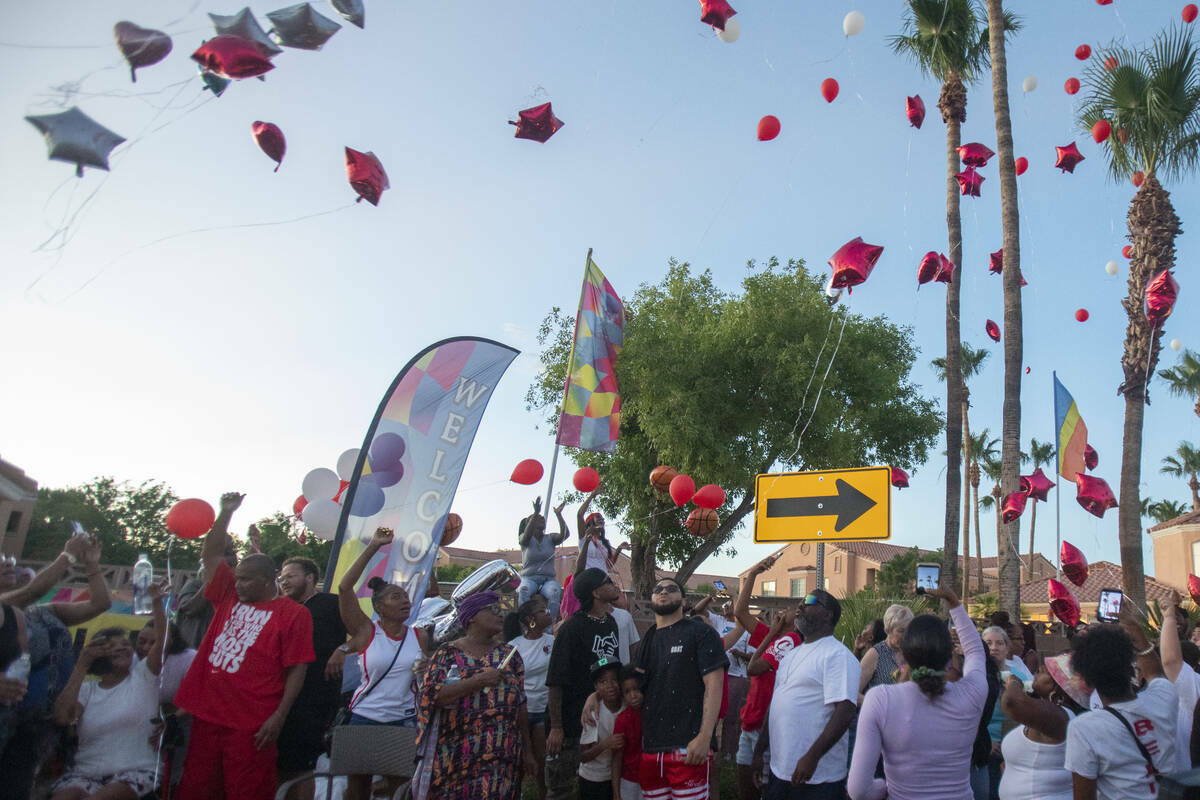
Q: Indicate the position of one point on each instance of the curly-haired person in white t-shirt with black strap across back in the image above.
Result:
(1114, 753)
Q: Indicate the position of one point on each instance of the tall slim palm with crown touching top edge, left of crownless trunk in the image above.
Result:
(947, 41)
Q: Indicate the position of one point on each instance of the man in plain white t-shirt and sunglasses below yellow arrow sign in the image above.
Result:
(817, 688)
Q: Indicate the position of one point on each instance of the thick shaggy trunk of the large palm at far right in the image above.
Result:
(1154, 227)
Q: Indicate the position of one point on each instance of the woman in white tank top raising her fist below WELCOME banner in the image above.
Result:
(387, 649)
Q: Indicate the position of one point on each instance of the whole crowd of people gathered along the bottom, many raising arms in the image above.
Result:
(565, 697)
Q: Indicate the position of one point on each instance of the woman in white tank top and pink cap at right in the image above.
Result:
(1035, 751)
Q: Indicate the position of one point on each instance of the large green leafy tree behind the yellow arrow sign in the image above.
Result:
(717, 384)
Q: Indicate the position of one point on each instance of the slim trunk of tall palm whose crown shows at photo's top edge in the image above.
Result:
(955, 401)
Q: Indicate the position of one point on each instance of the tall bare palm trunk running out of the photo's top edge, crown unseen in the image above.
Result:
(1011, 436)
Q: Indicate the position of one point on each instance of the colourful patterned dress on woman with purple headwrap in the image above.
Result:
(477, 753)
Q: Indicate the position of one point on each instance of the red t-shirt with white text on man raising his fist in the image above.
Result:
(237, 678)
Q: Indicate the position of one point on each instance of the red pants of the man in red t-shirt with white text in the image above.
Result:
(223, 763)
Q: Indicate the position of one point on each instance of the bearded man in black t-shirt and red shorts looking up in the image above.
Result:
(683, 663)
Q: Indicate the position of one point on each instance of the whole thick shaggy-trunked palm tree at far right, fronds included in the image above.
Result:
(1153, 100)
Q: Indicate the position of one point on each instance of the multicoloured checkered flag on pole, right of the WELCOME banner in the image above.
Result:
(591, 418)
